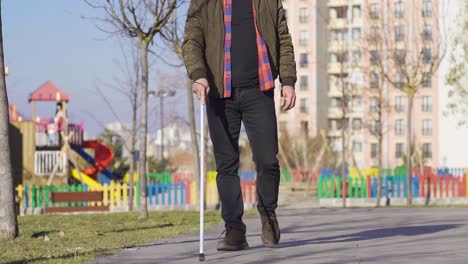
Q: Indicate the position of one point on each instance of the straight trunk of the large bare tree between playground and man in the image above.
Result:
(143, 130)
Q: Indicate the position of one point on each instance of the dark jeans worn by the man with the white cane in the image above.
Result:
(256, 109)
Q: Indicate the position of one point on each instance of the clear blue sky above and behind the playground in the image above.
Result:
(49, 40)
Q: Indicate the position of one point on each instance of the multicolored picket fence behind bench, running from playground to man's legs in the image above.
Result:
(170, 195)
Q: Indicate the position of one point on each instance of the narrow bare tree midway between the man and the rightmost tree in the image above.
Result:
(345, 74)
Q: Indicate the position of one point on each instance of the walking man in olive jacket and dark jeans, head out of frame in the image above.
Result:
(234, 50)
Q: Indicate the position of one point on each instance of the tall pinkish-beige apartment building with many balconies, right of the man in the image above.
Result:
(337, 64)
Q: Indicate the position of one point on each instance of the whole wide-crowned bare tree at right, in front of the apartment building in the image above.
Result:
(406, 55)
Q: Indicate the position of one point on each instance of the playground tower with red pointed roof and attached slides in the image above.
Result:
(50, 146)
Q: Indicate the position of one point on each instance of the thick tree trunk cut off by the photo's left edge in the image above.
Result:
(8, 221)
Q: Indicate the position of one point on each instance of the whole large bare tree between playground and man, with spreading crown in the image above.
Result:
(143, 20)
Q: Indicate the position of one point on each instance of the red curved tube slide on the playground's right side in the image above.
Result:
(102, 157)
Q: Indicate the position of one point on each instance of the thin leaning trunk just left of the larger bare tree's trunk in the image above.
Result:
(132, 144)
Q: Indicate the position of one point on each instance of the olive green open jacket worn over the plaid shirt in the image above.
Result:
(203, 46)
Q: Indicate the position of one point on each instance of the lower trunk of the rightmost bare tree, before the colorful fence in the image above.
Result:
(409, 137)
